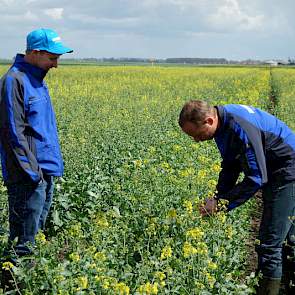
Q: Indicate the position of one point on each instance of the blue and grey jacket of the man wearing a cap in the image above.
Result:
(29, 143)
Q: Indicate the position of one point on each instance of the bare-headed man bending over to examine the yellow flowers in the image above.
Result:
(263, 148)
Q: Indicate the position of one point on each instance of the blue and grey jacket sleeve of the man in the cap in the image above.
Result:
(13, 127)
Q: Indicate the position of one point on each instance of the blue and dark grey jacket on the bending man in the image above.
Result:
(256, 143)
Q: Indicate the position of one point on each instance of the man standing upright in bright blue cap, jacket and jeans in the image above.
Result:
(29, 145)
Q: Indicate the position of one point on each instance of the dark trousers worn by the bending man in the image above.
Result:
(277, 230)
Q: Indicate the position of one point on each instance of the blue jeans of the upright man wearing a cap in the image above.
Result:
(29, 205)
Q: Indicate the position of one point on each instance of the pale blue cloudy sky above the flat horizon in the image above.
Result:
(232, 29)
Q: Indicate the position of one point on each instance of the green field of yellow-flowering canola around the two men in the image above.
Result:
(125, 218)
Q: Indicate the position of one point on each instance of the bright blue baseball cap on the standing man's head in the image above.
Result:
(48, 40)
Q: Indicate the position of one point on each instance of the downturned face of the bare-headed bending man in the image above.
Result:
(201, 132)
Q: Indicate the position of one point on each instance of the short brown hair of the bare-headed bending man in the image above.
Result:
(195, 111)
